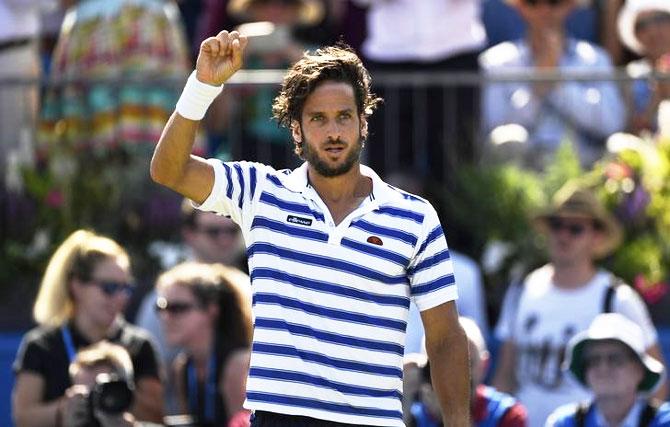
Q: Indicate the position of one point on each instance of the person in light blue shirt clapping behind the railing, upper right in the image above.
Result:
(582, 112)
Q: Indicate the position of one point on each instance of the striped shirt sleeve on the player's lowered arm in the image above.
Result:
(431, 272)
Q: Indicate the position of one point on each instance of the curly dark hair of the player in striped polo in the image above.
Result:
(332, 63)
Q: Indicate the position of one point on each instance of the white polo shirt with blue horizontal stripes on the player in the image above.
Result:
(331, 302)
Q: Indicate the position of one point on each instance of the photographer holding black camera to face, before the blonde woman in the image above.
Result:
(102, 390)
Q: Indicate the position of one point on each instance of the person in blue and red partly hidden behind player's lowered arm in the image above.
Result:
(489, 406)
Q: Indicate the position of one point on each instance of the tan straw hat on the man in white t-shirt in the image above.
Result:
(575, 202)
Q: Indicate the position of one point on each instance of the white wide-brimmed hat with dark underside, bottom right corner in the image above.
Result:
(614, 327)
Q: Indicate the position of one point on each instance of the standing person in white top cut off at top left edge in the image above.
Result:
(19, 59)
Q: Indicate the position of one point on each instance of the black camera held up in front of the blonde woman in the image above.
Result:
(111, 395)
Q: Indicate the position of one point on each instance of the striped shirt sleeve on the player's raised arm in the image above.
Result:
(237, 185)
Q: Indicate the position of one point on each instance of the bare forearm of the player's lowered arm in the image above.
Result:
(450, 372)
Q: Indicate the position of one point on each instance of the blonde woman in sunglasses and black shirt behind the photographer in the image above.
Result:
(84, 290)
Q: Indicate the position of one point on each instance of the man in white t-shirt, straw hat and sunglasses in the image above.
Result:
(559, 300)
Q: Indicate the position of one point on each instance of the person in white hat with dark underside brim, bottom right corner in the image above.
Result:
(610, 360)
